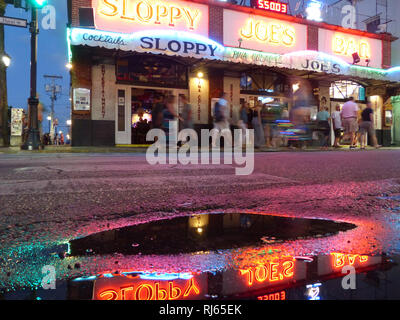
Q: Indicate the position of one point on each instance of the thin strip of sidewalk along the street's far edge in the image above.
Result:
(143, 148)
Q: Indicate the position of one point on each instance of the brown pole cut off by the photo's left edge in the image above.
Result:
(3, 85)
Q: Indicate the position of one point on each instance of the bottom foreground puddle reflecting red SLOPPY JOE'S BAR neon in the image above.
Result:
(282, 278)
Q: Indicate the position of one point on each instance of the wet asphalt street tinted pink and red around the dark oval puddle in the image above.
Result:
(48, 199)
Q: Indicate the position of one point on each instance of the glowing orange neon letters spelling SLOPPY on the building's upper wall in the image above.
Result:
(149, 12)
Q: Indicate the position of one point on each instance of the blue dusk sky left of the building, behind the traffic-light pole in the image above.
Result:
(52, 58)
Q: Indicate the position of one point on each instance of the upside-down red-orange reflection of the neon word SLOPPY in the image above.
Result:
(147, 290)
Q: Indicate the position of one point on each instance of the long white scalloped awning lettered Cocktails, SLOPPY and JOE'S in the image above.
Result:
(314, 64)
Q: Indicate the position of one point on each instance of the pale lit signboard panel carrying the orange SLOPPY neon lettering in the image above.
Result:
(115, 13)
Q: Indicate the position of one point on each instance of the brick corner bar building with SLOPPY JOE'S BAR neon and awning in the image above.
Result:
(126, 52)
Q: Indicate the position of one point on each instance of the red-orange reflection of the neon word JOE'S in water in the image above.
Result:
(272, 271)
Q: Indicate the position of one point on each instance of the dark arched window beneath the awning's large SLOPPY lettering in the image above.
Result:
(152, 71)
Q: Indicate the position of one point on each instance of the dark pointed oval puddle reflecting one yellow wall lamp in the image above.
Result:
(204, 232)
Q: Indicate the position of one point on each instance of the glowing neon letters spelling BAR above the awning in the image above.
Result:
(348, 46)
